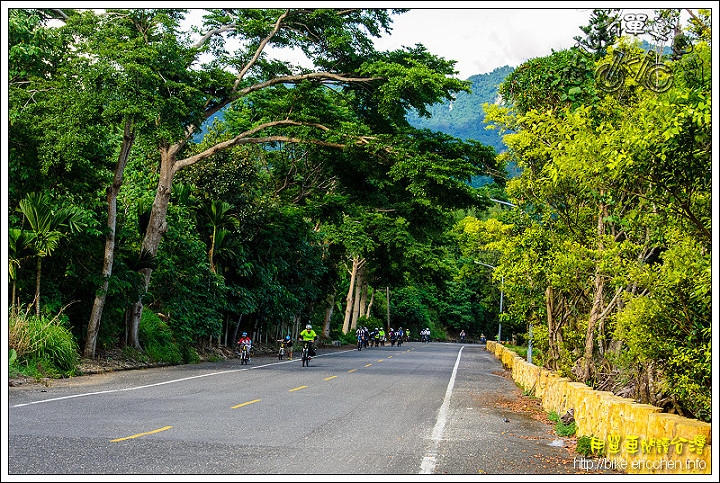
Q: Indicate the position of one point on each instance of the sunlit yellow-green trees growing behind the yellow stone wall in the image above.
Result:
(617, 192)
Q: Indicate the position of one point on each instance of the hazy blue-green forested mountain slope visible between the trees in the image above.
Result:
(463, 118)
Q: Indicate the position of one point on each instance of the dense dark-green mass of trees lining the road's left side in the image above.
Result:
(170, 226)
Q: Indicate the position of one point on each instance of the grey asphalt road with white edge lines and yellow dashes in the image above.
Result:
(420, 409)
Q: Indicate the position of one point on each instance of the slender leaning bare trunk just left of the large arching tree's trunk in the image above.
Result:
(109, 254)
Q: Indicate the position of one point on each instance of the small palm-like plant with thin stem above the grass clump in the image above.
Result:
(47, 228)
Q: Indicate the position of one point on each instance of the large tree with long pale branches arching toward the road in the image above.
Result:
(394, 80)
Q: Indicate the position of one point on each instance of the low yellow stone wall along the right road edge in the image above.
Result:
(638, 438)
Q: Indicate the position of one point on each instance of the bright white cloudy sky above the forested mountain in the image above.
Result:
(479, 36)
